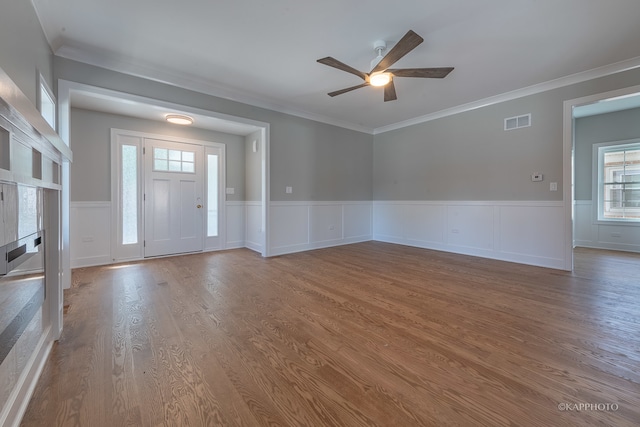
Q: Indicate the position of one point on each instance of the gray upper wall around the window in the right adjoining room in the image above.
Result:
(617, 126)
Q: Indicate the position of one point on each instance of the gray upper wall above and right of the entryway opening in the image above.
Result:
(320, 162)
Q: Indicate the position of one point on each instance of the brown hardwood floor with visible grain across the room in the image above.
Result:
(366, 334)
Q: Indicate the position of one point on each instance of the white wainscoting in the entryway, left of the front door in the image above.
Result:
(90, 233)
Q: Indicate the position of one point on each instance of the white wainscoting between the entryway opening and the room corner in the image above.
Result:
(301, 226)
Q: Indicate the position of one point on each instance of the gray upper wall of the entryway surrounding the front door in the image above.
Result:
(90, 139)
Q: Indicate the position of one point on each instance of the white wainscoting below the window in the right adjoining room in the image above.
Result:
(589, 234)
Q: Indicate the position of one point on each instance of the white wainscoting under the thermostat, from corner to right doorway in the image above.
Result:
(524, 232)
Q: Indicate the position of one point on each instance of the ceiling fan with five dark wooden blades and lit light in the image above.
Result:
(381, 74)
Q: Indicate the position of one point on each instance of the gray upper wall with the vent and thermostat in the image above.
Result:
(469, 156)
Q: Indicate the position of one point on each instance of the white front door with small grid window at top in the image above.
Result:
(173, 201)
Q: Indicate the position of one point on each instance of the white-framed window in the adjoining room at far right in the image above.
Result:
(618, 181)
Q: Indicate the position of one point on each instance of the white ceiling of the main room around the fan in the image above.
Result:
(264, 52)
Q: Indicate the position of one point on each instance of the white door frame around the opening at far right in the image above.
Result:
(568, 157)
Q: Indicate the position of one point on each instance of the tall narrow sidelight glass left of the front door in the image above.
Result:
(129, 194)
